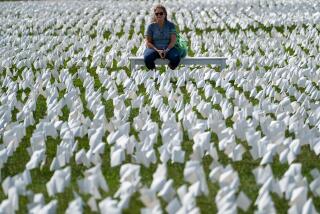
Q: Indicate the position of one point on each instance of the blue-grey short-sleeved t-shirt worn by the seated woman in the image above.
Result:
(160, 36)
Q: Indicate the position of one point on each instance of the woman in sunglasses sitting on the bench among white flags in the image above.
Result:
(160, 40)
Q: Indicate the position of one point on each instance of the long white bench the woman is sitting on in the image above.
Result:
(221, 61)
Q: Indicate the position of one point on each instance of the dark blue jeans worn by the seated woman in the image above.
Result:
(150, 55)
